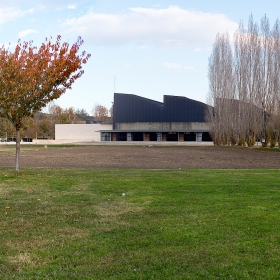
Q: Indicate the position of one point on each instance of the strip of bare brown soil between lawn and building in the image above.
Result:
(150, 157)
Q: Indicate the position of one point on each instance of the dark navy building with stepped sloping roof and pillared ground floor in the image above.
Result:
(140, 119)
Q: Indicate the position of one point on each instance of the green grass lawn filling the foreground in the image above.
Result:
(170, 224)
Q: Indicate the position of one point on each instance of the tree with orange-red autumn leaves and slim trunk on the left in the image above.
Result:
(31, 77)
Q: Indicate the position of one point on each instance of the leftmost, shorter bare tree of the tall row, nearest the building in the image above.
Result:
(221, 90)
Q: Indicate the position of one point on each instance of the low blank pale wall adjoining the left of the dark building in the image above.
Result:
(80, 132)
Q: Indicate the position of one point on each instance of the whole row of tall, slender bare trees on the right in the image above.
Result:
(244, 85)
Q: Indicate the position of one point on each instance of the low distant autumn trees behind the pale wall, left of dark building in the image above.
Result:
(42, 125)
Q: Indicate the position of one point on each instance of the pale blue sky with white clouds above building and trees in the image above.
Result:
(149, 48)
